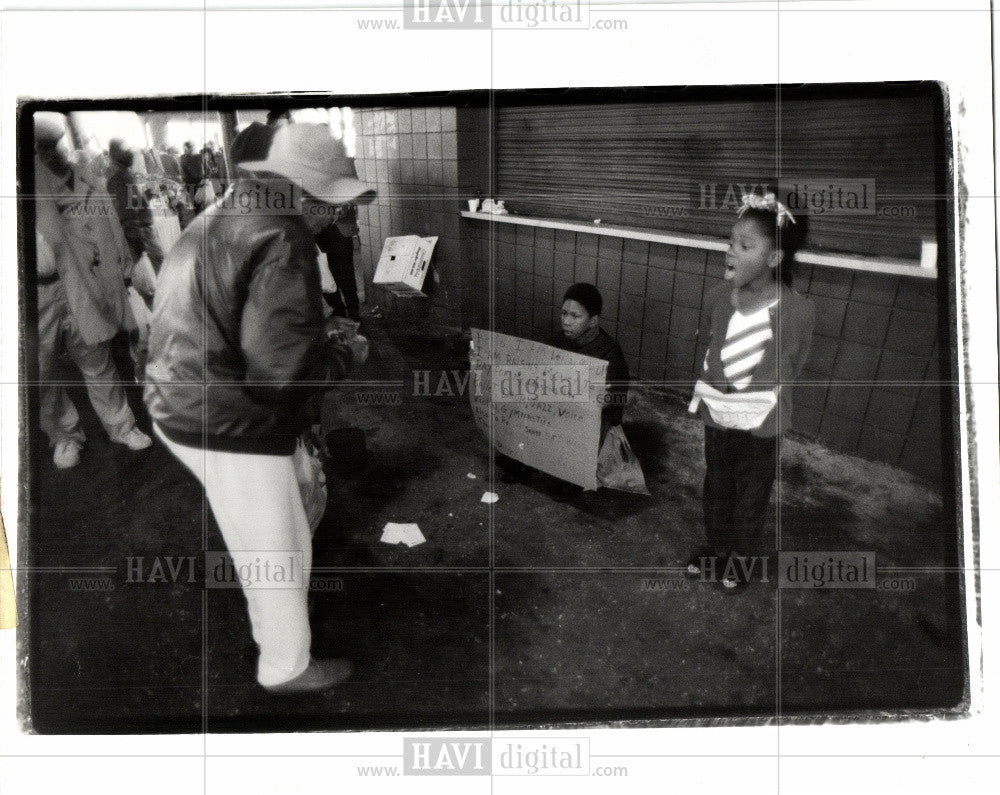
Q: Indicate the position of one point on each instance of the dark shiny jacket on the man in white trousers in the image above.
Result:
(237, 346)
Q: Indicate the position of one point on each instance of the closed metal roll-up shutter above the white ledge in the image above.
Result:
(653, 164)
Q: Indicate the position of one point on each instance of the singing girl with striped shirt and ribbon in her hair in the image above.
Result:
(759, 331)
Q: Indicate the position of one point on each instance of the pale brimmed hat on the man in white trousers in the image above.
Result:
(309, 156)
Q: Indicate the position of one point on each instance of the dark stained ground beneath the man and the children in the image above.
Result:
(575, 633)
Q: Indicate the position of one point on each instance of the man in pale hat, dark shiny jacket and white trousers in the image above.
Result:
(237, 347)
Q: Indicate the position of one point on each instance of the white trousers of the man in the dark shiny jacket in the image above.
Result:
(258, 507)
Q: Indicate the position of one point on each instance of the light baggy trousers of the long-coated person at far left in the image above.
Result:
(57, 414)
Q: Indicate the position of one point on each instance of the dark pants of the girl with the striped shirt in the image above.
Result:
(739, 475)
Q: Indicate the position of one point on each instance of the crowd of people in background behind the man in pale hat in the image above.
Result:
(105, 218)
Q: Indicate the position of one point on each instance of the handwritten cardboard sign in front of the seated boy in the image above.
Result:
(538, 404)
